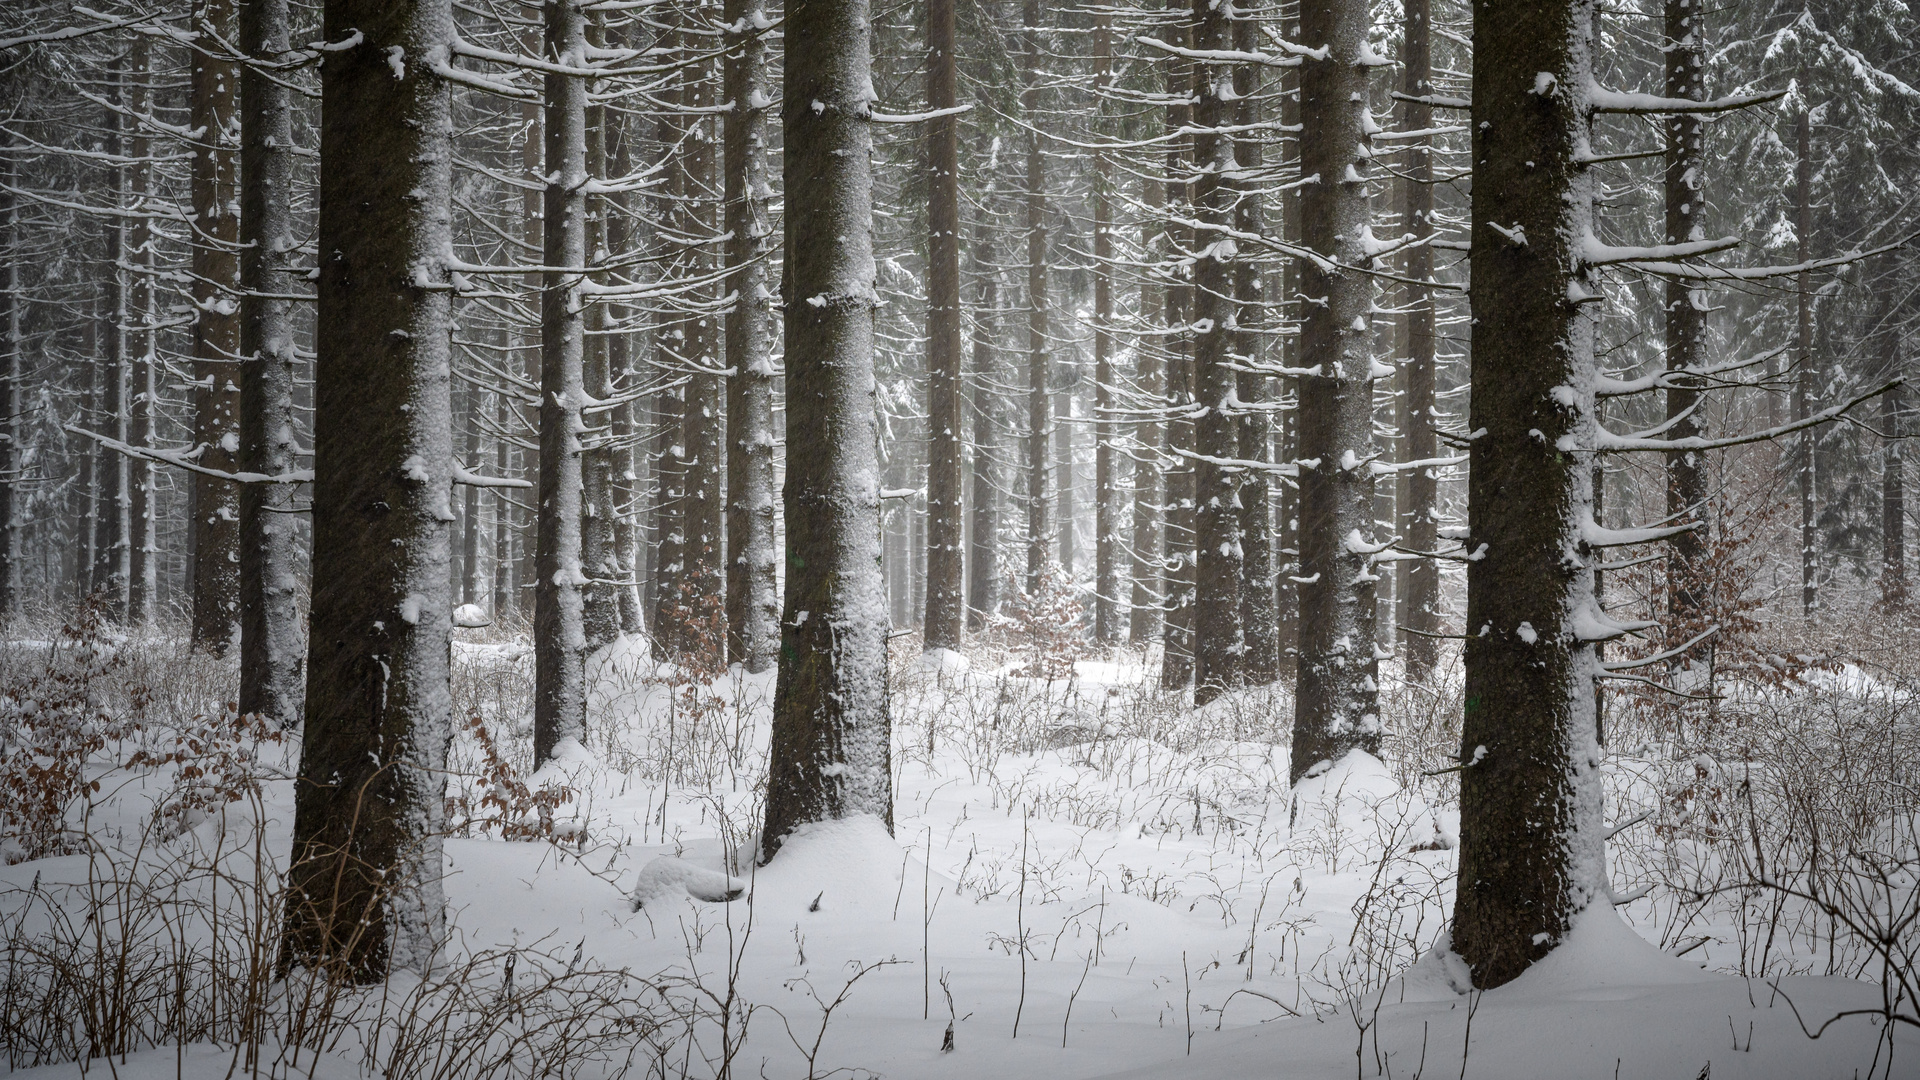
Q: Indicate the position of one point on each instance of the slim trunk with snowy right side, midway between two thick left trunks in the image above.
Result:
(560, 579)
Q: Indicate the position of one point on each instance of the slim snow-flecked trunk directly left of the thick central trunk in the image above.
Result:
(752, 589)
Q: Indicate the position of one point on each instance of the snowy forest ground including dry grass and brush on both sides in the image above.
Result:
(1084, 877)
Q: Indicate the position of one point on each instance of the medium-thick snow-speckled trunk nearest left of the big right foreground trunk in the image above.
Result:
(1337, 702)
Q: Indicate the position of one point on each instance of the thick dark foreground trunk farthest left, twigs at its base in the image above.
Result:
(366, 879)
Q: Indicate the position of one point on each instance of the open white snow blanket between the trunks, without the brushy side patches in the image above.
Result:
(1084, 879)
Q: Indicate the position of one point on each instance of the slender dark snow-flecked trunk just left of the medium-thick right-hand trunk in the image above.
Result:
(1220, 560)
